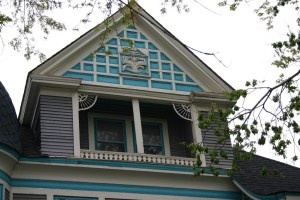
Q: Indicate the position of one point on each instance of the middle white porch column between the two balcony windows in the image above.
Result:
(138, 126)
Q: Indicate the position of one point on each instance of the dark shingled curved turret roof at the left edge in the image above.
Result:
(8, 122)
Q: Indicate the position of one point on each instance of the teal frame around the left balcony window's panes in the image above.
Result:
(115, 142)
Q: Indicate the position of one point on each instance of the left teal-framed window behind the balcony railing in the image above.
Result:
(110, 135)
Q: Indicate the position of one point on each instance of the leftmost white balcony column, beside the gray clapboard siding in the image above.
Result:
(76, 134)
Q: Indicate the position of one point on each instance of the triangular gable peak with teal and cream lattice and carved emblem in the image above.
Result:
(155, 62)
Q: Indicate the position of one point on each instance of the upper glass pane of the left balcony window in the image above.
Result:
(110, 131)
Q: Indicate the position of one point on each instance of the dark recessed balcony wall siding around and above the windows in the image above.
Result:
(179, 129)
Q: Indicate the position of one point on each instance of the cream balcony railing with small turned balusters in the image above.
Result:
(135, 157)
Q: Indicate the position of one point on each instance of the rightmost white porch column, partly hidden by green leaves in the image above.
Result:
(197, 135)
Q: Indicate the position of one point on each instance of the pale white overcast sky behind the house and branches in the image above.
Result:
(239, 39)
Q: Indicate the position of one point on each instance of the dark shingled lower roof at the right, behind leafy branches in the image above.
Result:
(250, 178)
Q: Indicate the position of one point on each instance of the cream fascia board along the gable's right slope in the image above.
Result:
(197, 68)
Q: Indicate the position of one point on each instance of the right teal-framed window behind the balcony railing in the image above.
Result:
(153, 138)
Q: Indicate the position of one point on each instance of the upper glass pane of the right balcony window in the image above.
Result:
(151, 134)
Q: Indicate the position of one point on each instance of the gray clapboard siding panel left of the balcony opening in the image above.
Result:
(56, 119)
